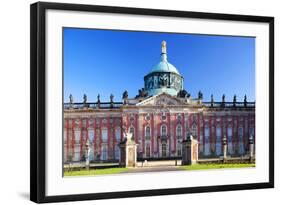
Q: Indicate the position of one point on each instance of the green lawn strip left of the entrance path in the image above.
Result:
(94, 172)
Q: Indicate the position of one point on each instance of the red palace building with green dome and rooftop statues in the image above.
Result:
(159, 117)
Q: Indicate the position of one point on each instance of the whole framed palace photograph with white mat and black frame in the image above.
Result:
(129, 102)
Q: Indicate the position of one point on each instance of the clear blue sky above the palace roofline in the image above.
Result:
(105, 61)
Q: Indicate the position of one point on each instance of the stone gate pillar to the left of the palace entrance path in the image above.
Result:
(128, 152)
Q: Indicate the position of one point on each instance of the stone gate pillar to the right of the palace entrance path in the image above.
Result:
(189, 151)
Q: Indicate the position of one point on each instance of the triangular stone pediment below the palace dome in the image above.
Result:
(161, 99)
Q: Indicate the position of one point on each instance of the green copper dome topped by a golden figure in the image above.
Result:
(164, 77)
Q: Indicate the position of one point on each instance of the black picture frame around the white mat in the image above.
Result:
(38, 101)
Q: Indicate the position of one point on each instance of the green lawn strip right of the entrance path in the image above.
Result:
(215, 166)
